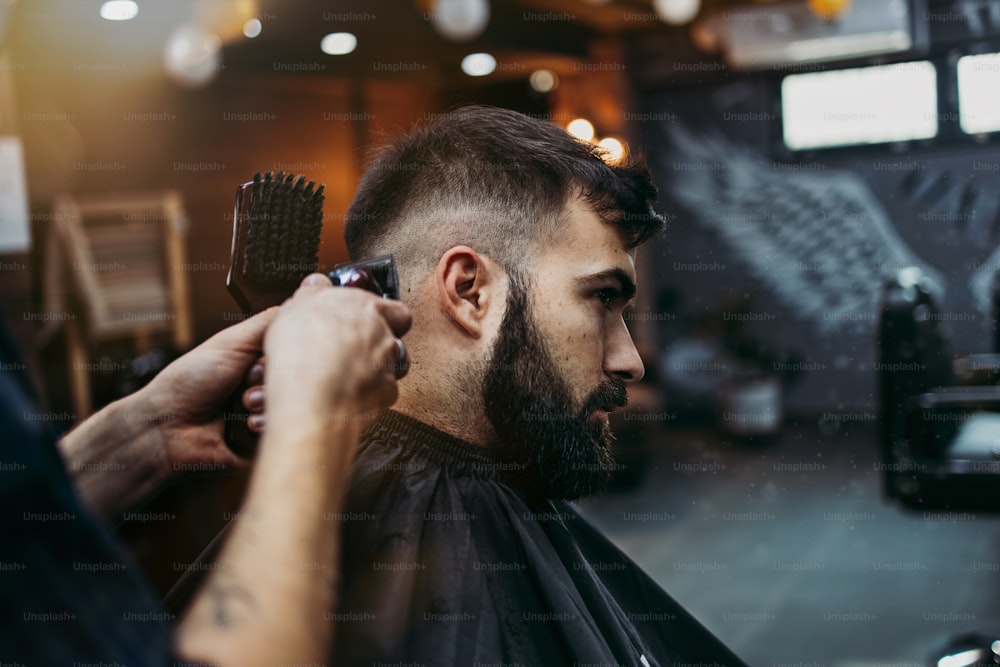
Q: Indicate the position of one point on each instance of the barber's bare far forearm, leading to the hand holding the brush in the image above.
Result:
(115, 457)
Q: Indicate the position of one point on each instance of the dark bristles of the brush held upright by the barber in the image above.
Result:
(286, 217)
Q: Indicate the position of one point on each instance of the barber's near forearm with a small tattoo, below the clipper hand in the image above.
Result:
(266, 603)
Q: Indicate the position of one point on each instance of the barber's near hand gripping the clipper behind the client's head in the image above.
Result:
(331, 354)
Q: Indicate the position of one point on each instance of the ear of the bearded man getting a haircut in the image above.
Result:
(467, 287)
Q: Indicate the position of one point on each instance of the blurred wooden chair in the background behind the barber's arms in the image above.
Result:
(115, 269)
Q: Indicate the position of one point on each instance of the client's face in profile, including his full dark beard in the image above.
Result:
(561, 360)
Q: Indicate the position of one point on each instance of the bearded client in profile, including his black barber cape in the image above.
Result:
(515, 245)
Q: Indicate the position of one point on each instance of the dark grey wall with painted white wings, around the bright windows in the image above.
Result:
(940, 197)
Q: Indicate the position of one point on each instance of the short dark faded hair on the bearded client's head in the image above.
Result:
(495, 180)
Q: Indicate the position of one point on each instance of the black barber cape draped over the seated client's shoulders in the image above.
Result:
(446, 564)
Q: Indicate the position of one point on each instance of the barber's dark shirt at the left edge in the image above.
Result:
(69, 595)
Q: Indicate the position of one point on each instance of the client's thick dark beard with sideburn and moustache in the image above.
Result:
(560, 451)
